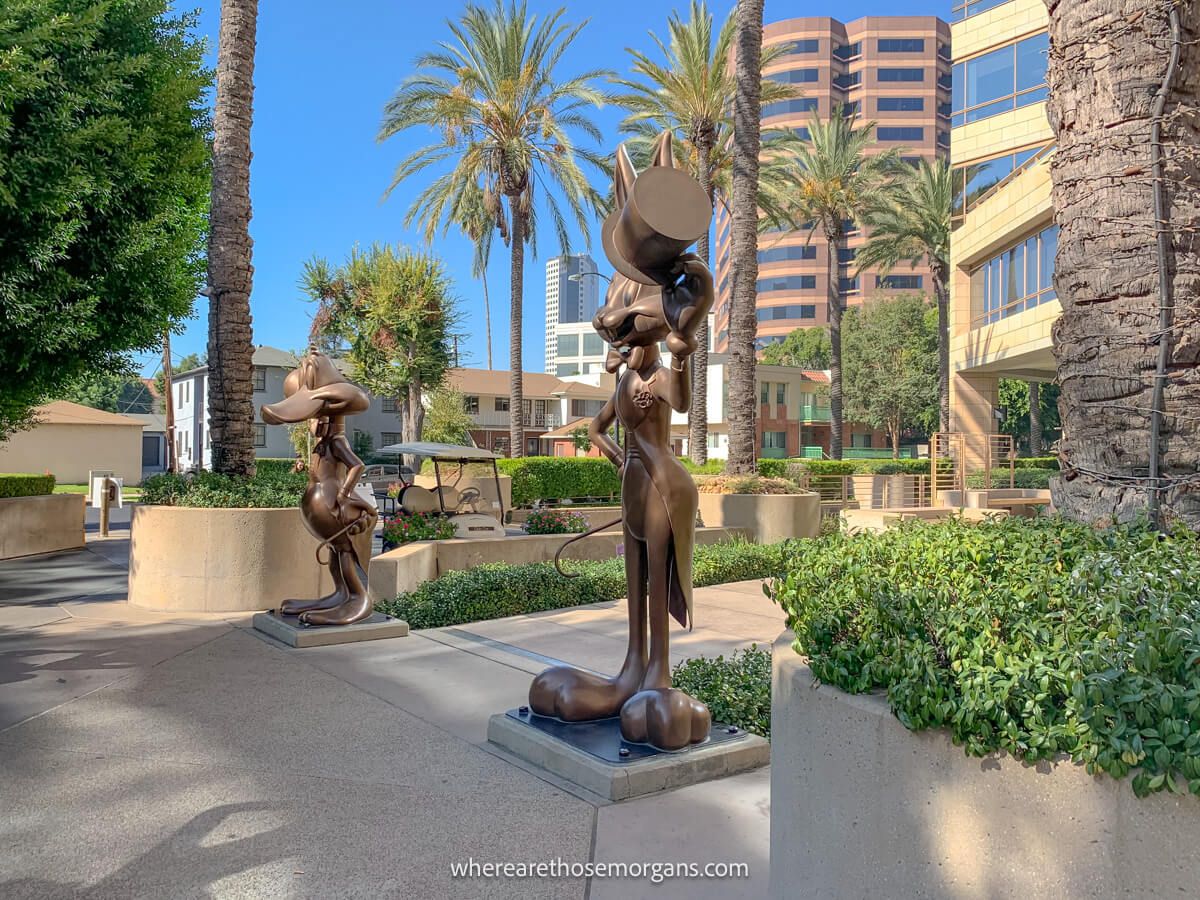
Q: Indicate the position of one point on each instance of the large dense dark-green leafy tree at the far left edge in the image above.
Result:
(104, 189)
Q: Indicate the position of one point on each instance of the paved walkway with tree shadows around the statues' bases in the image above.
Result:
(163, 757)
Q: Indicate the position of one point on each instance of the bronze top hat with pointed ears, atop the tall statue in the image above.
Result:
(658, 215)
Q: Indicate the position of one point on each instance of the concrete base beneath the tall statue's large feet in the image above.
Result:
(623, 781)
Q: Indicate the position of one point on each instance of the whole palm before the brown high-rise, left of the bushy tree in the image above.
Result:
(835, 183)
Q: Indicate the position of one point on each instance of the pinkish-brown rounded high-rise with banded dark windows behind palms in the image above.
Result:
(891, 70)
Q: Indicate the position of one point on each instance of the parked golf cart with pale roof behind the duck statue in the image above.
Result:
(472, 514)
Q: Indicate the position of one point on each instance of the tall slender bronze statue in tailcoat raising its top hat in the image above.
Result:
(661, 293)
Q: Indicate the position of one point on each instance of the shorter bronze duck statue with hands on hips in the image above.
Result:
(332, 511)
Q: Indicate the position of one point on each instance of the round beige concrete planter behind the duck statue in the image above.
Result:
(224, 560)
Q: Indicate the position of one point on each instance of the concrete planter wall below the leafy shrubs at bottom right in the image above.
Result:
(862, 807)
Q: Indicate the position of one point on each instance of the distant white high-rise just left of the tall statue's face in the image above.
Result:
(573, 297)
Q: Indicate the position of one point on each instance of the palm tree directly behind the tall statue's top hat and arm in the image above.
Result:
(688, 94)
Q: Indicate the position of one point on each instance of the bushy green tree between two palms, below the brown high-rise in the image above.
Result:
(891, 365)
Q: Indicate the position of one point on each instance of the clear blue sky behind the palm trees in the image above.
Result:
(323, 74)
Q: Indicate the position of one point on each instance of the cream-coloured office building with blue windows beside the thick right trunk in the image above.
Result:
(1004, 247)
